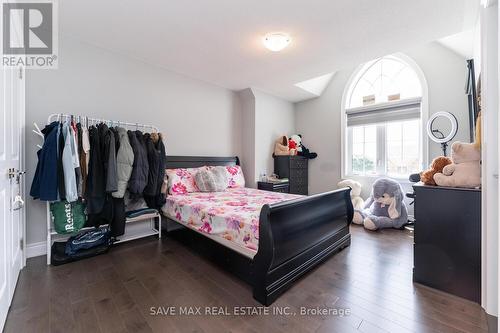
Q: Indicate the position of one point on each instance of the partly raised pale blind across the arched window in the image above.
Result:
(384, 112)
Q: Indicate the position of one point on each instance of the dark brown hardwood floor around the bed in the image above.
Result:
(114, 293)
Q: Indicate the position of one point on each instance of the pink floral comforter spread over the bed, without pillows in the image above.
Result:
(232, 214)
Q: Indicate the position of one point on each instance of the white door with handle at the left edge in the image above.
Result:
(11, 184)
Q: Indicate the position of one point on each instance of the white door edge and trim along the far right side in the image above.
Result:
(490, 157)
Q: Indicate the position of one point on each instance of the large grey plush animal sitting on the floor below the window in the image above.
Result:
(385, 208)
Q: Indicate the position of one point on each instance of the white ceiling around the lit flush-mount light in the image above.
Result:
(219, 41)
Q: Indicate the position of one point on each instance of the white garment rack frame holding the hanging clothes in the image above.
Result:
(152, 218)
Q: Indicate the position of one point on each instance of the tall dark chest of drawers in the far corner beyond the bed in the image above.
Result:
(295, 169)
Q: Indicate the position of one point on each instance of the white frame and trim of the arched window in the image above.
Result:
(381, 144)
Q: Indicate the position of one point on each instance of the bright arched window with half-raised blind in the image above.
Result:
(383, 112)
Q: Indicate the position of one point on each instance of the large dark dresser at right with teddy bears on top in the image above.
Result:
(447, 249)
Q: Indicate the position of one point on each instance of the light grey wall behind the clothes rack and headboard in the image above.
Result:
(196, 118)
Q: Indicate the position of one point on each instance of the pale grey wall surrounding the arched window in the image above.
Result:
(319, 119)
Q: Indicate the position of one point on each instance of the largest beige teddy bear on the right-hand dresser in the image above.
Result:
(465, 171)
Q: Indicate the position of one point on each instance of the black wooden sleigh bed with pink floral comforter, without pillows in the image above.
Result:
(267, 239)
